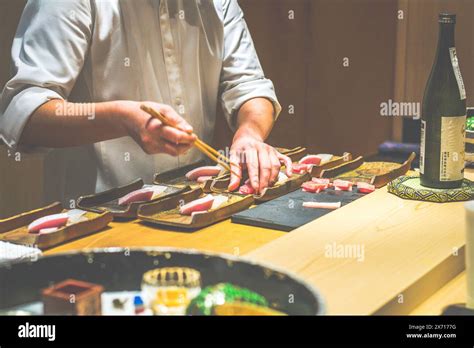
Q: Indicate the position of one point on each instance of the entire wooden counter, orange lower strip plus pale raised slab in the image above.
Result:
(409, 251)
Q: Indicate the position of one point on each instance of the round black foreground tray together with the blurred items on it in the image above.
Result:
(152, 281)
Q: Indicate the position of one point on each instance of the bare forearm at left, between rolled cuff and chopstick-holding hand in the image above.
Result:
(62, 124)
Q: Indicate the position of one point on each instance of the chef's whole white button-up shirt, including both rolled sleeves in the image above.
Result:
(185, 53)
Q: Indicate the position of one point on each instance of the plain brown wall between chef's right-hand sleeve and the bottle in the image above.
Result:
(336, 108)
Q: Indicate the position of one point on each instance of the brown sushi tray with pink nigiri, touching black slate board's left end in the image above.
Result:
(194, 209)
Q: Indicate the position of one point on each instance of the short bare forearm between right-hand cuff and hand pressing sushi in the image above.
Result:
(255, 118)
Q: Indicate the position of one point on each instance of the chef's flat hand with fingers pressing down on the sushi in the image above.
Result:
(262, 161)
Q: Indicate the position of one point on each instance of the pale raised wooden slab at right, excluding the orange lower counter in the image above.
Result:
(412, 249)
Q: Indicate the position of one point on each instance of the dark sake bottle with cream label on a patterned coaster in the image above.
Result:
(443, 119)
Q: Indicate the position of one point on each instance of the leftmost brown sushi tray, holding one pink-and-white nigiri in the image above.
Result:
(50, 226)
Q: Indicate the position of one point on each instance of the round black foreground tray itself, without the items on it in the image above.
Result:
(118, 269)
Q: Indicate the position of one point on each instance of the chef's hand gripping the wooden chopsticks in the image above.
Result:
(152, 136)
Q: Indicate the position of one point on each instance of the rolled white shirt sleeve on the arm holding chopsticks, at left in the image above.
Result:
(48, 53)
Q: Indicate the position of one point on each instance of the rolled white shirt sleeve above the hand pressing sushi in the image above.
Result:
(242, 76)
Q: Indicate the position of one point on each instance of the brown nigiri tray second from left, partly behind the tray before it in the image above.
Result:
(123, 202)
